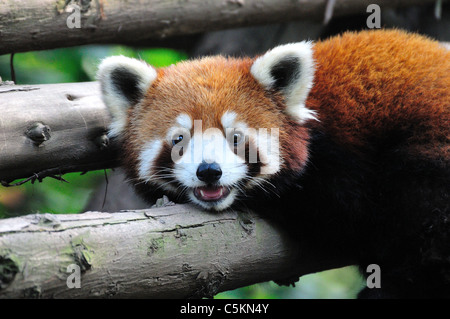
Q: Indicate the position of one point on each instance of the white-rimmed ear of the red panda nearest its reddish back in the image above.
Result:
(289, 69)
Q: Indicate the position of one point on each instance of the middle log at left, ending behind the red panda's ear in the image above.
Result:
(53, 129)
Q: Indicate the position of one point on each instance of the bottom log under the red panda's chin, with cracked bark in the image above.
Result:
(174, 251)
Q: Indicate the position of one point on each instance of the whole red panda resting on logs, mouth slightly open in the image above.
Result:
(344, 142)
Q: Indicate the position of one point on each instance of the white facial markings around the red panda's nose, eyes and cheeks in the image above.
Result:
(211, 146)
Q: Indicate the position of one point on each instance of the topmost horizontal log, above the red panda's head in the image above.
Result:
(42, 24)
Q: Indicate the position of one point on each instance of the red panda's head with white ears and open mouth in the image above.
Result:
(210, 130)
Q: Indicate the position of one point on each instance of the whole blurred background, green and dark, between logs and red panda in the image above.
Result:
(87, 192)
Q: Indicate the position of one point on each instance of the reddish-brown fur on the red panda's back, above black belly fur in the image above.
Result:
(372, 82)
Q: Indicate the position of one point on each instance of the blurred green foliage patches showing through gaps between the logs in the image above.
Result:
(80, 64)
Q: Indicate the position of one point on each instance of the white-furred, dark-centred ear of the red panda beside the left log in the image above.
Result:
(123, 82)
